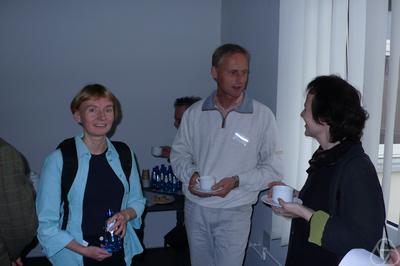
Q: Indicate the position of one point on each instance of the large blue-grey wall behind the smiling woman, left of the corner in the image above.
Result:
(147, 52)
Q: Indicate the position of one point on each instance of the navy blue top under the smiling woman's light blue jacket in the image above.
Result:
(103, 191)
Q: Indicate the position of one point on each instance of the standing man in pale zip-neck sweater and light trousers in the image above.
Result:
(234, 138)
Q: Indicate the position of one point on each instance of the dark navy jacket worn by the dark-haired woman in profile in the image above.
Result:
(354, 202)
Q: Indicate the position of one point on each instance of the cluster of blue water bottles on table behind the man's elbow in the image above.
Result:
(163, 179)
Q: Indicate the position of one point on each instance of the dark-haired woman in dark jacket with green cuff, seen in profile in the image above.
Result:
(343, 205)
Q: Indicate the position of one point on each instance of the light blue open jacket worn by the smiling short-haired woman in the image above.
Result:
(51, 237)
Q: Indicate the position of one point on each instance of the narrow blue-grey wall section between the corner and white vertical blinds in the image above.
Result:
(256, 27)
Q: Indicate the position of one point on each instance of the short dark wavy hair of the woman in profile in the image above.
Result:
(338, 103)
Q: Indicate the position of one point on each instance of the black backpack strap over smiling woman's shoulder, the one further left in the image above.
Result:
(70, 167)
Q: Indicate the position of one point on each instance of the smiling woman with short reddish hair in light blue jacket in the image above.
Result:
(100, 184)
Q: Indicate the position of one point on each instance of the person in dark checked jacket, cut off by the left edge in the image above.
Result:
(18, 221)
